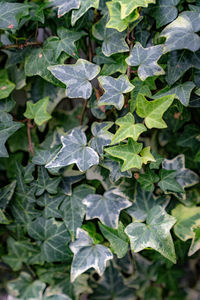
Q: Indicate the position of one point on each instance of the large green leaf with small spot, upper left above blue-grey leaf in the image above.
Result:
(39, 59)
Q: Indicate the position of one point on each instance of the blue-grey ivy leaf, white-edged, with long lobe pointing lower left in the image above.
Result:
(74, 150)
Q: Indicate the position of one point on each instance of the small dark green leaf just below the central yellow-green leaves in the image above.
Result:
(147, 180)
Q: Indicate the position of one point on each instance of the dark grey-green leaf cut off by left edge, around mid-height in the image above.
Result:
(7, 128)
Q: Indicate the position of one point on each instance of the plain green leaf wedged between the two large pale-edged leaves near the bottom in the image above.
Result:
(117, 239)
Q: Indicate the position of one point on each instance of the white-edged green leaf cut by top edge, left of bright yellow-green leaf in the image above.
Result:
(85, 5)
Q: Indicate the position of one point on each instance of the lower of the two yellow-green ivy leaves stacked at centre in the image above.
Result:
(129, 153)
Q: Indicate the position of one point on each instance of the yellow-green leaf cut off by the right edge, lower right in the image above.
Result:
(186, 218)
